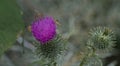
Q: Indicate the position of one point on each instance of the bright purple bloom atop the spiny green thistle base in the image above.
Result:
(44, 29)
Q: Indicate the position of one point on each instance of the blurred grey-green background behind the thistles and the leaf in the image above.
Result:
(76, 18)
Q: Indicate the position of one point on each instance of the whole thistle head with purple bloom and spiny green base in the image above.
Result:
(44, 30)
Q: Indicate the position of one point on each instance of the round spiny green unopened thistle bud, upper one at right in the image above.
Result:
(101, 38)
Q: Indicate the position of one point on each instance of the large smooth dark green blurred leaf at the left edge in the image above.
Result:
(10, 23)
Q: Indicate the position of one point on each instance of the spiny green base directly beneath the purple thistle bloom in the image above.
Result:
(52, 49)
